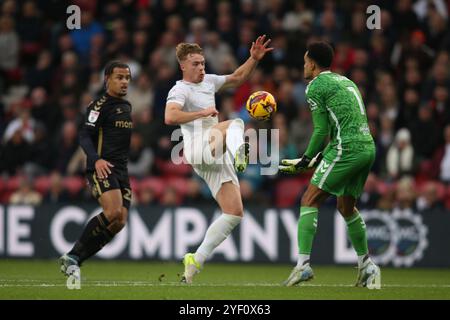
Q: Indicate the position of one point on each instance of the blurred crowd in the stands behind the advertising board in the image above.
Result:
(49, 74)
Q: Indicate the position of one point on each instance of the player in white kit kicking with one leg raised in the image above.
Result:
(216, 150)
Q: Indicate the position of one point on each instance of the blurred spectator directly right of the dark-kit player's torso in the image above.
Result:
(140, 157)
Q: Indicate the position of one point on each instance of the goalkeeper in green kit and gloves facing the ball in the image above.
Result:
(341, 168)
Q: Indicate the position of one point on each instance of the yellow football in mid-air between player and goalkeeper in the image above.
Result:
(261, 105)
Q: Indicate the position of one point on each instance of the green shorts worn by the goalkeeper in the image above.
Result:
(344, 172)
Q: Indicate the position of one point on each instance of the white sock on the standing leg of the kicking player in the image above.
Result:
(217, 232)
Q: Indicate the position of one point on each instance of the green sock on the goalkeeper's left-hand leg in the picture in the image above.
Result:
(307, 225)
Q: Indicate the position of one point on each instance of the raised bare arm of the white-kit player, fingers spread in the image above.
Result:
(240, 75)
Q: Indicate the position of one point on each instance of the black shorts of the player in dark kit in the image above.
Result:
(114, 181)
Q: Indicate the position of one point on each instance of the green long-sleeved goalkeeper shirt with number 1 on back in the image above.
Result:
(338, 112)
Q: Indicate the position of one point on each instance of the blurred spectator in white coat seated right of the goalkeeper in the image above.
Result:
(400, 156)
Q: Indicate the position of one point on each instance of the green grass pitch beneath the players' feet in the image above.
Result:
(41, 279)
